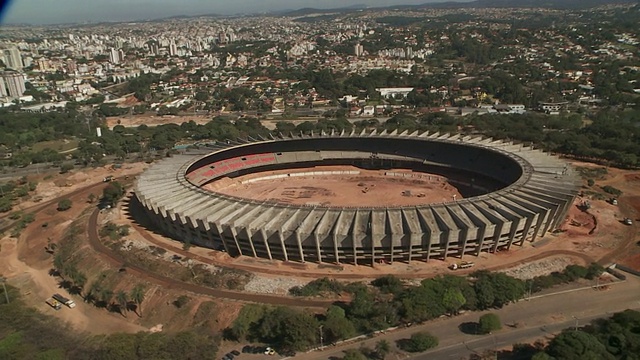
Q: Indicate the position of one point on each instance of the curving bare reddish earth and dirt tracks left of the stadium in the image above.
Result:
(26, 265)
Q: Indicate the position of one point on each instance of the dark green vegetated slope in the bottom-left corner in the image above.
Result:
(26, 333)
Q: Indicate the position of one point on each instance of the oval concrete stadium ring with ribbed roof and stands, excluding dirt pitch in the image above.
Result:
(516, 193)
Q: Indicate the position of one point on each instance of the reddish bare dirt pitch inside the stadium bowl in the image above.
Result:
(368, 188)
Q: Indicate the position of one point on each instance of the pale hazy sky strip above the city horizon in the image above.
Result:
(65, 11)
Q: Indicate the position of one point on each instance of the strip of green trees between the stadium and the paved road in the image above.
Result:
(387, 302)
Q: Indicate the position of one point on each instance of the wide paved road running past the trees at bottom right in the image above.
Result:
(554, 312)
